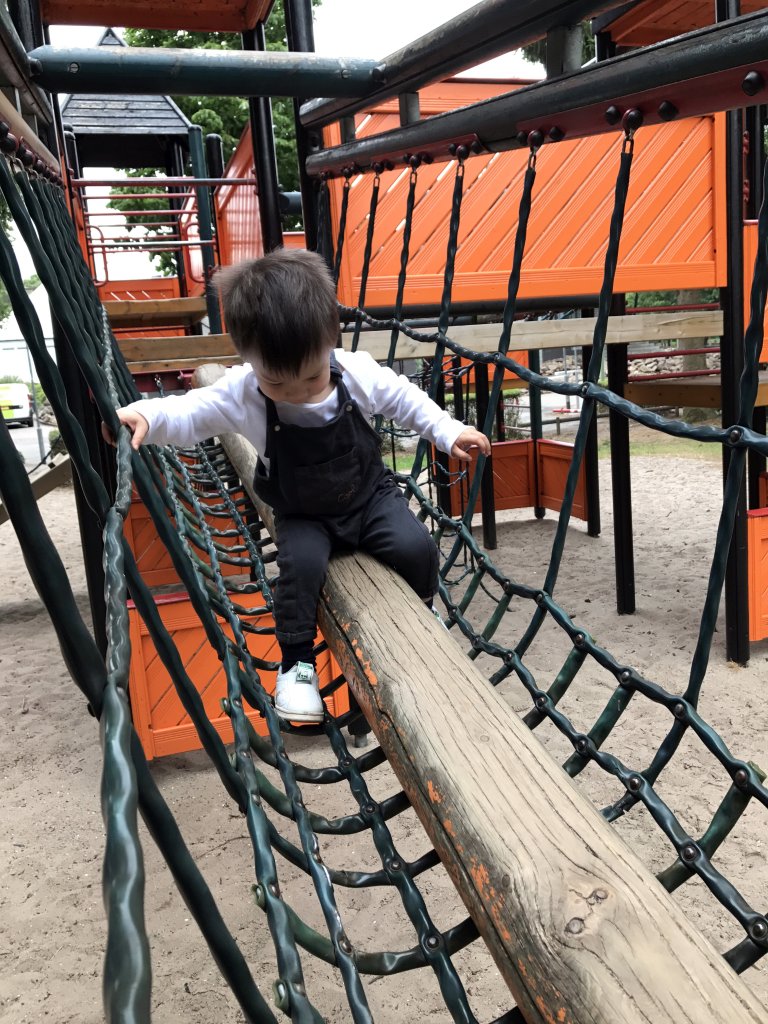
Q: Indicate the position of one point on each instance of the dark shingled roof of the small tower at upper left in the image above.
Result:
(124, 131)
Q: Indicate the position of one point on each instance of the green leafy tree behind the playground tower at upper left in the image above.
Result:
(225, 116)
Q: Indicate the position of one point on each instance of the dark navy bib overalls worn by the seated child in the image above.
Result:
(331, 492)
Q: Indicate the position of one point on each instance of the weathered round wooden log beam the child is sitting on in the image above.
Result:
(581, 930)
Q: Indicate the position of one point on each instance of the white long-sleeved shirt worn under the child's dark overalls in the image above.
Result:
(235, 404)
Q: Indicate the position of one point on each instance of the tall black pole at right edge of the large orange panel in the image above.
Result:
(733, 364)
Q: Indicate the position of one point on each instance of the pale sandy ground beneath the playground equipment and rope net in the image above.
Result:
(52, 920)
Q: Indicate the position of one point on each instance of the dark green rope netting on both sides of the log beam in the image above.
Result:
(187, 492)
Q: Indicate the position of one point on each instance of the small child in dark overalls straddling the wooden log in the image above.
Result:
(306, 407)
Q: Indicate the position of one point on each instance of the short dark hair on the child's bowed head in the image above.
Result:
(281, 308)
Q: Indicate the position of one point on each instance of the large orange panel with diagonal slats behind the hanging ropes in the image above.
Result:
(674, 233)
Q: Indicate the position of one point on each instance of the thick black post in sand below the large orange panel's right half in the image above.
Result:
(621, 475)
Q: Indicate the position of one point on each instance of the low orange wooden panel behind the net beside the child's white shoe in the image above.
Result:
(159, 717)
